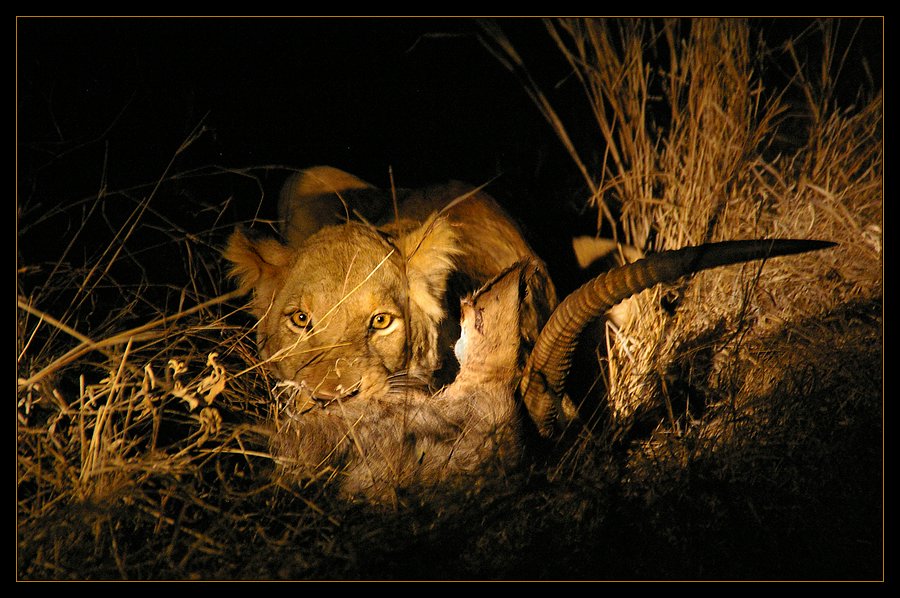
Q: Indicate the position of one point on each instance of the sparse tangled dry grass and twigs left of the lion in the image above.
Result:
(141, 410)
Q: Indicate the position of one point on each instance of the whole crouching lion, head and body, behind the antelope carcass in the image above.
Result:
(344, 305)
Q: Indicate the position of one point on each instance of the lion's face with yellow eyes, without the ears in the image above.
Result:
(344, 327)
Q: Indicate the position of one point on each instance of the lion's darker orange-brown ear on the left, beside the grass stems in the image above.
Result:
(259, 266)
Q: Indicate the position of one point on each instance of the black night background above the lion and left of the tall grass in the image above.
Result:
(108, 102)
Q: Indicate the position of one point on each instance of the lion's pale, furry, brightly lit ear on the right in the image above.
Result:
(430, 251)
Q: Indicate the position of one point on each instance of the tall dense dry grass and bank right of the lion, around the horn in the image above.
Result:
(744, 376)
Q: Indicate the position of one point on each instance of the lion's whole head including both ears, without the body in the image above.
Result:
(350, 306)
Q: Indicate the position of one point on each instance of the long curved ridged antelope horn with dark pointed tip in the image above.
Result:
(542, 385)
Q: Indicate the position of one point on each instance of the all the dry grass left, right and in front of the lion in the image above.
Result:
(737, 434)
